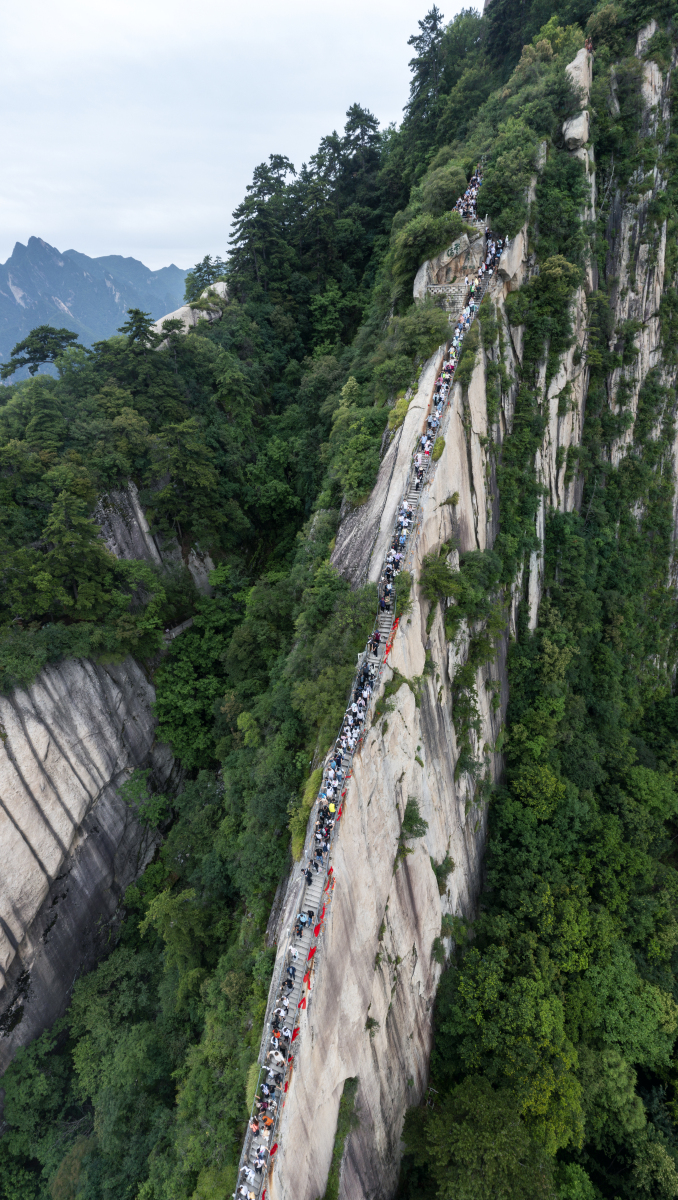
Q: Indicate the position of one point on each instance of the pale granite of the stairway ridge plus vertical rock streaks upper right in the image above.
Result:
(376, 958)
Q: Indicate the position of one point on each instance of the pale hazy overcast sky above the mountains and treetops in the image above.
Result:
(133, 127)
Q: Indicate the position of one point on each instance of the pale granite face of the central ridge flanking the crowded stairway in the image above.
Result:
(376, 961)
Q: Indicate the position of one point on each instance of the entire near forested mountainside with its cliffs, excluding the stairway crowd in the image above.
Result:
(491, 1009)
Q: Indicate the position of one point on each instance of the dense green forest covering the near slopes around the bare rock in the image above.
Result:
(554, 1063)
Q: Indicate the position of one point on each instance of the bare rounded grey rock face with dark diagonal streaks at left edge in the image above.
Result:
(69, 845)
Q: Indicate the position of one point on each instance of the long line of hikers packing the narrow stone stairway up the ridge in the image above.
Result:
(338, 766)
